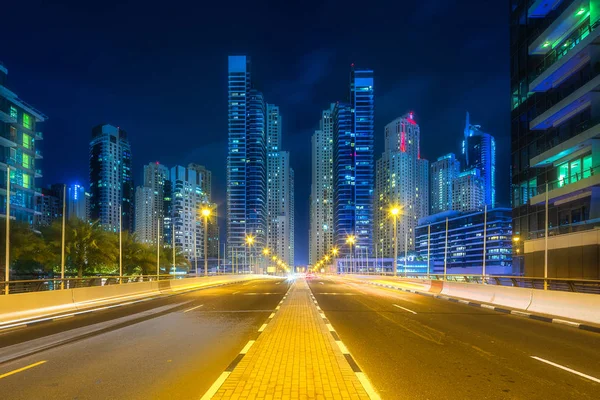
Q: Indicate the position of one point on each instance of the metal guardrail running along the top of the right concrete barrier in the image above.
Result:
(564, 285)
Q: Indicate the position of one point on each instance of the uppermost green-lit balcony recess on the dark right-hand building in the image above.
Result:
(562, 27)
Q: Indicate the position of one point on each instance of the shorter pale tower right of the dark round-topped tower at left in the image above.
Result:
(152, 216)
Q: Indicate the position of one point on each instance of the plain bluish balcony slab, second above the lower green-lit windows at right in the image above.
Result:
(571, 104)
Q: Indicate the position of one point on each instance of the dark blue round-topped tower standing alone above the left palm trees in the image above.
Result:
(111, 183)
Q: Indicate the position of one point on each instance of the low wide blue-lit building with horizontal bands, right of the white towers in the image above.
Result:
(465, 242)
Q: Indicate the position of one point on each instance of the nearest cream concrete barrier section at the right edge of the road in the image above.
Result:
(580, 306)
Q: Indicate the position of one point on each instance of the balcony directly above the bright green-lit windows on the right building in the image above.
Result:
(584, 134)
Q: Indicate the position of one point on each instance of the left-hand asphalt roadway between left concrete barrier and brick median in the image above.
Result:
(168, 348)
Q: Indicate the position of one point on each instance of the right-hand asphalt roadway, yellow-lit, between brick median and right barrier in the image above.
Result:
(417, 347)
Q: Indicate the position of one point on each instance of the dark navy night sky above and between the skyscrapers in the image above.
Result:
(159, 70)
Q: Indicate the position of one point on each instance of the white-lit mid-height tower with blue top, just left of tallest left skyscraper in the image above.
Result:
(188, 200)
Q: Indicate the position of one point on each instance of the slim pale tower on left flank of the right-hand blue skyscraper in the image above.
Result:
(321, 196)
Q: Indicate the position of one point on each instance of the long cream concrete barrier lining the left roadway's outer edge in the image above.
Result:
(24, 306)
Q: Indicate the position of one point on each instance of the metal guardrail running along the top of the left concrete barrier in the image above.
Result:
(48, 284)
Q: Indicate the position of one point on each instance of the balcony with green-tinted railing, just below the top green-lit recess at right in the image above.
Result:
(562, 61)
